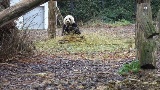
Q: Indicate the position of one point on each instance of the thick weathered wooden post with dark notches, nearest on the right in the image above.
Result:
(145, 31)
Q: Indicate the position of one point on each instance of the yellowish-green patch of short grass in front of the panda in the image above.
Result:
(93, 42)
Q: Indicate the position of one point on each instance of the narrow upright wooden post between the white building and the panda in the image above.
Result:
(52, 19)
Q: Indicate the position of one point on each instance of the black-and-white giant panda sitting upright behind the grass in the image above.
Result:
(69, 26)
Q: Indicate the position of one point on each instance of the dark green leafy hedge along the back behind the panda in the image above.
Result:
(104, 10)
